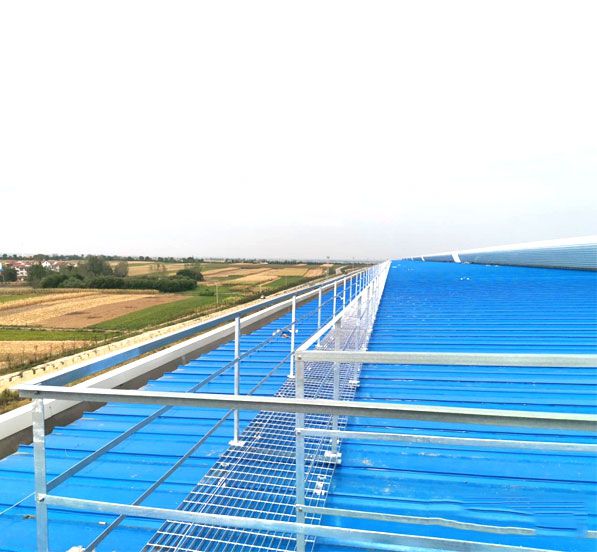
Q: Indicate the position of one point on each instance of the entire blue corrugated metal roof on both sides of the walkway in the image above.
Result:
(425, 307)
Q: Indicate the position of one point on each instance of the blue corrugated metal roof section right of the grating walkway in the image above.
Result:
(470, 308)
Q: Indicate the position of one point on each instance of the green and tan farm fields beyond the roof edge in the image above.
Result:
(38, 325)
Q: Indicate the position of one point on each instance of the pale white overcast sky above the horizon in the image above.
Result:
(295, 129)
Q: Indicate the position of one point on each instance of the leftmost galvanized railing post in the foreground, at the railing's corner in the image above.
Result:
(39, 464)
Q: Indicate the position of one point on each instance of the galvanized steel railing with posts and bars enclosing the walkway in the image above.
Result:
(359, 302)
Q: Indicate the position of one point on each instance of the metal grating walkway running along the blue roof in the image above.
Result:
(258, 479)
